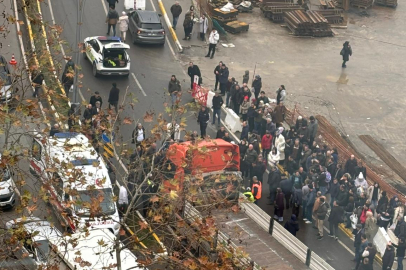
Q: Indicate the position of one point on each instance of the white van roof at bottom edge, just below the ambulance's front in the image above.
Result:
(93, 250)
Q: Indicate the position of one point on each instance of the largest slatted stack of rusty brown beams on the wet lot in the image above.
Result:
(310, 23)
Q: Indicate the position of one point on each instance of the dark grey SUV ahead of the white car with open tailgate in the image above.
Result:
(146, 27)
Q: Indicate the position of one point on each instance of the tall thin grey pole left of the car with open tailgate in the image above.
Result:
(80, 9)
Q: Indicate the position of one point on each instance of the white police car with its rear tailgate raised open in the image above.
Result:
(108, 55)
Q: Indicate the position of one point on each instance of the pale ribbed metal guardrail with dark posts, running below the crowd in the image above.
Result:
(285, 238)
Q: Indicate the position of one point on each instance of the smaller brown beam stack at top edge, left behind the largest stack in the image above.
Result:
(274, 9)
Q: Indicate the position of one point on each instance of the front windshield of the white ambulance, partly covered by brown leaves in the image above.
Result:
(86, 197)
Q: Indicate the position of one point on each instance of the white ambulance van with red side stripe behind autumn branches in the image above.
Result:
(76, 180)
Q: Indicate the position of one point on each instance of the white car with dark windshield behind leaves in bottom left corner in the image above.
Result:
(28, 238)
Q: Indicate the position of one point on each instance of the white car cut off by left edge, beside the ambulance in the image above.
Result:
(7, 188)
